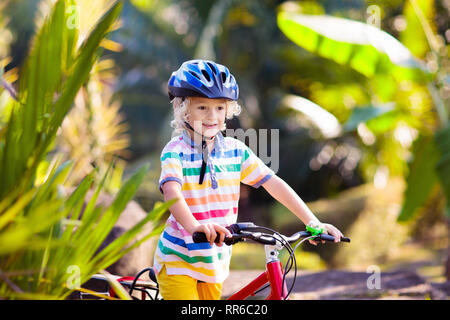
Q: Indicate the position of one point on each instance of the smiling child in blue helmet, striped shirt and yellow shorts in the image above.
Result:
(204, 169)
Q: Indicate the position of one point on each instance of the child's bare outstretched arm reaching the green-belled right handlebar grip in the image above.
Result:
(282, 192)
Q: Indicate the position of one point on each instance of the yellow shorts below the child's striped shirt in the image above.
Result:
(180, 287)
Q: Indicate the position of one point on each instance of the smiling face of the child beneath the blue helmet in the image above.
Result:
(207, 116)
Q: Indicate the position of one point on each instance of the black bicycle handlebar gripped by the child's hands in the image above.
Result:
(247, 230)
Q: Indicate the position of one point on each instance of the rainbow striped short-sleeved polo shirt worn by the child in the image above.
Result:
(215, 201)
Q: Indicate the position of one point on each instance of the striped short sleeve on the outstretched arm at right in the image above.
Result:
(253, 171)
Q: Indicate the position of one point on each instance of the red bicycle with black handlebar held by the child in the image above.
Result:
(274, 276)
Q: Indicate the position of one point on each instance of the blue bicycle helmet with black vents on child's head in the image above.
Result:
(203, 78)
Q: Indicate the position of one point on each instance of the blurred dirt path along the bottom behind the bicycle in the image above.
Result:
(350, 285)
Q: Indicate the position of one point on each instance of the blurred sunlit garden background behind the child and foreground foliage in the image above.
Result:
(359, 91)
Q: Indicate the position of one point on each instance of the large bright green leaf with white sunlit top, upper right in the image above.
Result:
(360, 46)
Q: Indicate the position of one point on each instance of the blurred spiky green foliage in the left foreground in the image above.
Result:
(51, 241)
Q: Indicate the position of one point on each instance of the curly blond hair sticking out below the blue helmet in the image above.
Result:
(181, 113)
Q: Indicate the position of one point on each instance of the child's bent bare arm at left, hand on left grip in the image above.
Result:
(183, 215)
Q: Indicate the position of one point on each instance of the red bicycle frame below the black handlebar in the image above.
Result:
(273, 275)
